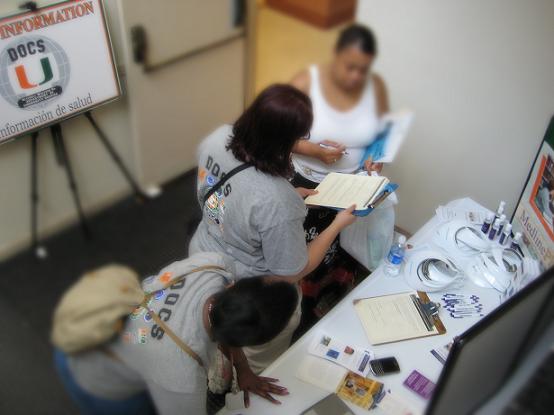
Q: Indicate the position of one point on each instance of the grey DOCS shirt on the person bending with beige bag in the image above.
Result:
(151, 360)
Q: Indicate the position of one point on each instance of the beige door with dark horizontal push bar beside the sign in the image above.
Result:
(185, 72)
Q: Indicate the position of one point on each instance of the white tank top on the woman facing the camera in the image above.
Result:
(355, 128)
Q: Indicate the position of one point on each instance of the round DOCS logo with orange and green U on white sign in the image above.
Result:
(34, 70)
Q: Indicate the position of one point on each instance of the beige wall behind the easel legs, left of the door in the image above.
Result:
(99, 181)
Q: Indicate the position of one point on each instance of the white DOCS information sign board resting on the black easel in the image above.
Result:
(55, 63)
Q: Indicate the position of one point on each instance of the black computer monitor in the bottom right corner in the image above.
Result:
(482, 358)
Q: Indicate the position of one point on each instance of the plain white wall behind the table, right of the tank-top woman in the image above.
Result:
(480, 77)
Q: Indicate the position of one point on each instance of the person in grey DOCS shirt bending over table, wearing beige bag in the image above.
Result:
(145, 364)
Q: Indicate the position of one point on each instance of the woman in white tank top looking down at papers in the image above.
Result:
(348, 98)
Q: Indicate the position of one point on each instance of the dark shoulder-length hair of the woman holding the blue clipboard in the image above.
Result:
(266, 132)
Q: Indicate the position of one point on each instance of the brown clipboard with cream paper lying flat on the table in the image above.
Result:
(398, 317)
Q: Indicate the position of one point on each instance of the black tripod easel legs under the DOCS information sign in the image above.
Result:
(63, 160)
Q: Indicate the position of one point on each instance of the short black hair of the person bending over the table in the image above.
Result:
(252, 312)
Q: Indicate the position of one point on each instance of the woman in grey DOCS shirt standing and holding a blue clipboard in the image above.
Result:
(256, 216)
